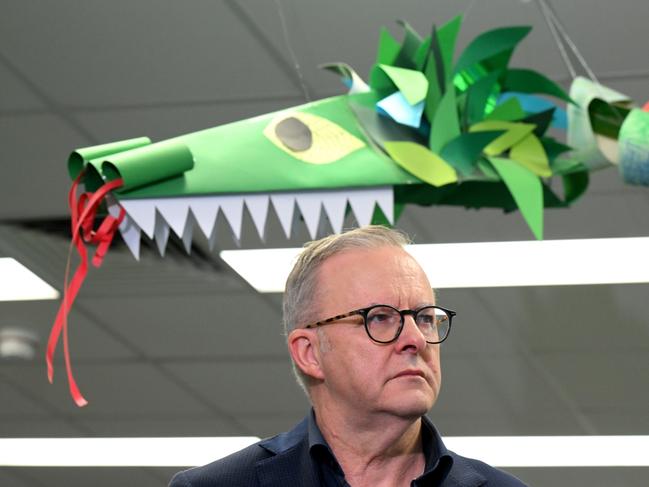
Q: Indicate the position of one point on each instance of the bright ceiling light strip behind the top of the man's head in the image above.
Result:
(485, 264)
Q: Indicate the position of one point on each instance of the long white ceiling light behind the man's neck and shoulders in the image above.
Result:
(500, 451)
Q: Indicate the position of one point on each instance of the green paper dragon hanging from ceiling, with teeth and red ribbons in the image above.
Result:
(430, 128)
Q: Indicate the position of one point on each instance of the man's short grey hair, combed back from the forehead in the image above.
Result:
(301, 285)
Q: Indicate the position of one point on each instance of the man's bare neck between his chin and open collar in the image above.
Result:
(381, 451)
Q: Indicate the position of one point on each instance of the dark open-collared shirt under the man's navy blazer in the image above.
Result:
(438, 460)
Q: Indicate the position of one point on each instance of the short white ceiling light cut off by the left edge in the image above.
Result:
(17, 283)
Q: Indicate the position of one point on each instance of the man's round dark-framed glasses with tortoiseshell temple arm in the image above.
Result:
(384, 323)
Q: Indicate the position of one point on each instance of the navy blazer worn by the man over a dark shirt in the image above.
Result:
(284, 460)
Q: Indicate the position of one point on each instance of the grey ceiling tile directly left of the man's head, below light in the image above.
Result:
(200, 326)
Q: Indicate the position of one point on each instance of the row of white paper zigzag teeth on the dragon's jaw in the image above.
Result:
(156, 217)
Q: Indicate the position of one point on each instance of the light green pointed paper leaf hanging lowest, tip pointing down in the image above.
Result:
(526, 189)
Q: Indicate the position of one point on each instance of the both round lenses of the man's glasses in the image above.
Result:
(384, 323)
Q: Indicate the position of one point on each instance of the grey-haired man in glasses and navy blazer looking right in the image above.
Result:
(364, 334)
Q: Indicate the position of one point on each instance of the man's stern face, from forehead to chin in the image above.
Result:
(400, 378)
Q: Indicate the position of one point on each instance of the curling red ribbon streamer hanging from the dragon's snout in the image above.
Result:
(83, 211)
